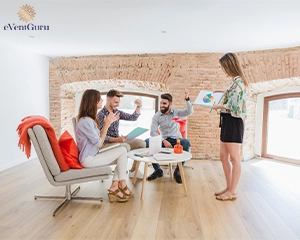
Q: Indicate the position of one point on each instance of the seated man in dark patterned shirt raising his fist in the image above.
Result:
(112, 102)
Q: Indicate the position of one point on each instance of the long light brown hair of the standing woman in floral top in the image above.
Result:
(231, 65)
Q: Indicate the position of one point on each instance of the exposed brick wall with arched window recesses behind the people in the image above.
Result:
(169, 73)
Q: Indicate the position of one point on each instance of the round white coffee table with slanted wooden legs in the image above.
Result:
(179, 158)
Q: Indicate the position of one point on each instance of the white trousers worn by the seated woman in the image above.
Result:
(113, 156)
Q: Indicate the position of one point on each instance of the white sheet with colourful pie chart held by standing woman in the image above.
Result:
(208, 98)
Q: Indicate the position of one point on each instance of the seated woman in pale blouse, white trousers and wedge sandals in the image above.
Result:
(90, 139)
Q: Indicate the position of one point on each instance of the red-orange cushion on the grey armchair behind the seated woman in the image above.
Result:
(69, 149)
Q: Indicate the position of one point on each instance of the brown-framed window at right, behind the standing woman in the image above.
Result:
(281, 127)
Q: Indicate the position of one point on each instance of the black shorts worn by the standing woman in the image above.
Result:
(232, 129)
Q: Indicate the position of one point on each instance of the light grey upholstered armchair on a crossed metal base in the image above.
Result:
(56, 177)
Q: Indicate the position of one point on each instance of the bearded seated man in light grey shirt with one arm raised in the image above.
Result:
(162, 122)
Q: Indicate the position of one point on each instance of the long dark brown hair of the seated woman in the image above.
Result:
(88, 105)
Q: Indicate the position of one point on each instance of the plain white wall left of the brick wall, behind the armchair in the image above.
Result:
(24, 91)
